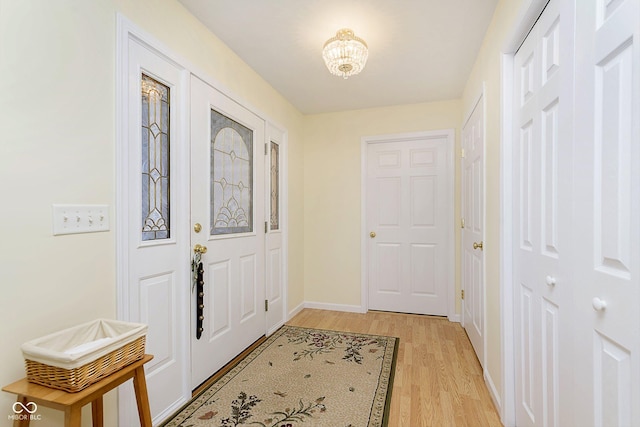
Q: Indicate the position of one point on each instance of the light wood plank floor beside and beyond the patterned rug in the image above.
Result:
(438, 380)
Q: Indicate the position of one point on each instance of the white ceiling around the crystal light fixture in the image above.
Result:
(419, 50)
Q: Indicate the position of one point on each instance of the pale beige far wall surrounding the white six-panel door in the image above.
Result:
(332, 176)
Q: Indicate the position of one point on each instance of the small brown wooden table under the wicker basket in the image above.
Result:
(72, 403)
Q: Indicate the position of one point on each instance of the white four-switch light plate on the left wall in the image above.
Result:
(71, 219)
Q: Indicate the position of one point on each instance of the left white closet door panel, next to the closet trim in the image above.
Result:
(542, 165)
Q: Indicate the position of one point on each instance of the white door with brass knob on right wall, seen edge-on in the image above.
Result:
(473, 229)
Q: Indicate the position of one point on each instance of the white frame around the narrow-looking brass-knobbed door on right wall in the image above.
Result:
(479, 100)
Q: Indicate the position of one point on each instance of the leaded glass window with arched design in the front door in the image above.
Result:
(231, 176)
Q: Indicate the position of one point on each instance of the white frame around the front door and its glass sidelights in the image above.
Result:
(126, 33)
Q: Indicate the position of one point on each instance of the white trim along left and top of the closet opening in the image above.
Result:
(530, 12)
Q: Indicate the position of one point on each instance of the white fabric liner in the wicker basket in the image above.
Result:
(82, 344)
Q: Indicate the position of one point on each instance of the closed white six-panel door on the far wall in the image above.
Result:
(409, 218)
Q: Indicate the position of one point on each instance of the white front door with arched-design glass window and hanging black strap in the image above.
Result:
(227, 201)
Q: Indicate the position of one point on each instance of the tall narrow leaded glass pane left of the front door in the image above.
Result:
(155, 159)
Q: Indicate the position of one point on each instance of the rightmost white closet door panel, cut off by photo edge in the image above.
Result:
(607, 206)
